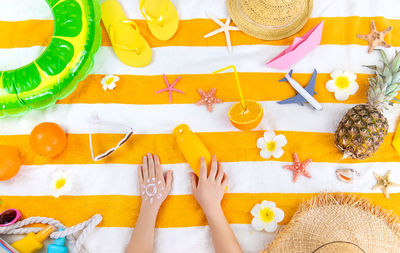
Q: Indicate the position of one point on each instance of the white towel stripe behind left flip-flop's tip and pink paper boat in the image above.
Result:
(205, 60)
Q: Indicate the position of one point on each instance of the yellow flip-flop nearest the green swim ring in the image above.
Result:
(130, 47)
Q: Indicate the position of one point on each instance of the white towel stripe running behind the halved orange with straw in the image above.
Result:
(150, 119)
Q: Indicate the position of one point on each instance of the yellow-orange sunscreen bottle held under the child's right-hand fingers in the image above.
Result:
(191, 147)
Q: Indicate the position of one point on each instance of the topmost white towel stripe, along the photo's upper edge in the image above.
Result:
(12, 10)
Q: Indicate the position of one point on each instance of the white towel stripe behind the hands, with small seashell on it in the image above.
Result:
(245, 177)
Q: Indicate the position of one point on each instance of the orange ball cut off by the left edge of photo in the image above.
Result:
(10, 162)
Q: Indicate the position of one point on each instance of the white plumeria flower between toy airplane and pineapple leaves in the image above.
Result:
(343, 84)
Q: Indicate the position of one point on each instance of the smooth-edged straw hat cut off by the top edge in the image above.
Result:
(270, 19)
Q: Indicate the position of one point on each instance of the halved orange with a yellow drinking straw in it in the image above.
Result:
(246, 119)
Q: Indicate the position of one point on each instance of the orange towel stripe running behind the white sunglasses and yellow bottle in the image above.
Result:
(228, 146)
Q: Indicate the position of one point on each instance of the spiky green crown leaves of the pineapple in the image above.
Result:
(384, 87)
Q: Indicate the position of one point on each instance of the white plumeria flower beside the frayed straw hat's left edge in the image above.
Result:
(266, 216)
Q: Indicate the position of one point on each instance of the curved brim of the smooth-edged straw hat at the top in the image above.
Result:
(249, 26)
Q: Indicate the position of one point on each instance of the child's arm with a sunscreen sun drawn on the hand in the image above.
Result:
(154, 188)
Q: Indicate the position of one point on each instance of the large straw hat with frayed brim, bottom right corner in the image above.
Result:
(333, 223)
